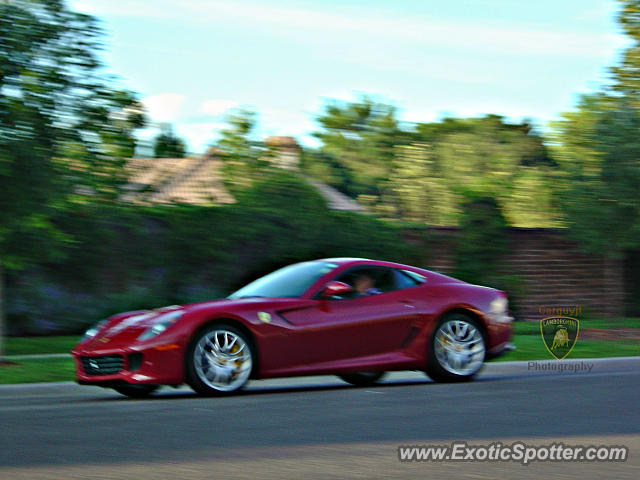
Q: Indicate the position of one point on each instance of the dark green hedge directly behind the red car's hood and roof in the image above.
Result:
(130, 257)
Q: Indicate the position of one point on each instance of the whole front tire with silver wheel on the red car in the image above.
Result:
(219, 360)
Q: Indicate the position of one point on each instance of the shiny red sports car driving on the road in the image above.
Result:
(354, 318)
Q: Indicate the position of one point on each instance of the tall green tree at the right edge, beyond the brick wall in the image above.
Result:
(597, 148)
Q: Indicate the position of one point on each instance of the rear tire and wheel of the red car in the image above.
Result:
(457, 349)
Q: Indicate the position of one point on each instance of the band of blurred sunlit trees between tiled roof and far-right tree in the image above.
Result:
(425, 173)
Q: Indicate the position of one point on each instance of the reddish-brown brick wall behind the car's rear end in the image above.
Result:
(554, 271)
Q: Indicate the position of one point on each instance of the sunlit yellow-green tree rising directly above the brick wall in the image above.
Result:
(447, 161)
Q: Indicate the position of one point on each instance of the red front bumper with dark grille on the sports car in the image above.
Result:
(158, 364)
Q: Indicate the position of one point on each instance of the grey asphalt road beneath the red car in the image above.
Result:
(319, 427)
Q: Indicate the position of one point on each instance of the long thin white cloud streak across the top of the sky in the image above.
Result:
(310, 25)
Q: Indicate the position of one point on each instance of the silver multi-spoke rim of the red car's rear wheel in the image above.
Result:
(459, 347)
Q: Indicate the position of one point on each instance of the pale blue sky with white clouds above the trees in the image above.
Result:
(194, 61)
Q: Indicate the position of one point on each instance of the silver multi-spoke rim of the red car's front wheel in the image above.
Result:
(222, 360)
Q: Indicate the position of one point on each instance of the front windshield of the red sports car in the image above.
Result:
(291, 281)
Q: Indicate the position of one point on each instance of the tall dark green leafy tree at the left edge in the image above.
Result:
(64, 130)
